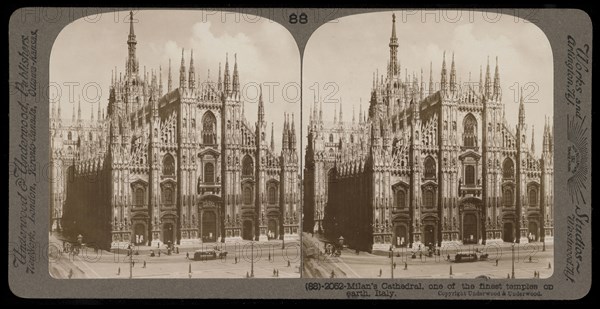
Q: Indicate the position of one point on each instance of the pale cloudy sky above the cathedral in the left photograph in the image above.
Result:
(86, 51)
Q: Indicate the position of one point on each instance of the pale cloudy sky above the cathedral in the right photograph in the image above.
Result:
(347, 52)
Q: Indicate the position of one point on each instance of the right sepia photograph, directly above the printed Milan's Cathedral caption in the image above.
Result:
(428, 147)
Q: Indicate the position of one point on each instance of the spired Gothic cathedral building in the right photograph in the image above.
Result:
(427, 166)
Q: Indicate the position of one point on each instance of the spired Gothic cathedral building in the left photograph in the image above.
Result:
(180, 166)
